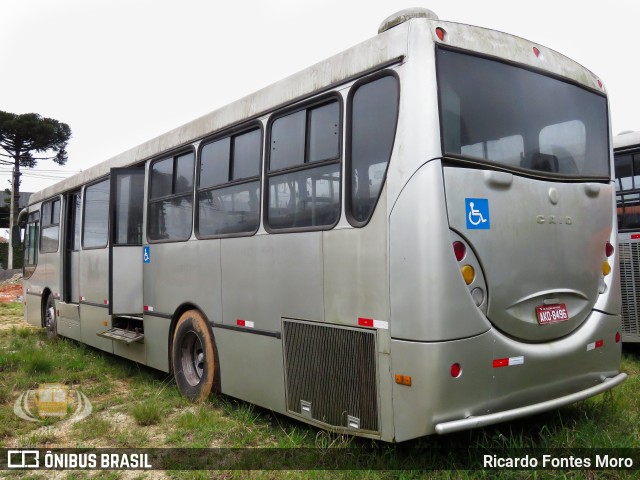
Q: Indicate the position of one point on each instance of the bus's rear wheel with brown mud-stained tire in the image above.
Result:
(193, 356)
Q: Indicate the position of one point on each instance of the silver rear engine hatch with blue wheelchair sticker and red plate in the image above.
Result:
(541, 246)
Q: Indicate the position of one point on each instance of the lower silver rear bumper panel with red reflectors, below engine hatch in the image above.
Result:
(492, 373)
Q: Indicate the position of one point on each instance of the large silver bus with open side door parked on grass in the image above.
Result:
(413, 236)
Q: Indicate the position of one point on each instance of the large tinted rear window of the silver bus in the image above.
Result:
(521, 119)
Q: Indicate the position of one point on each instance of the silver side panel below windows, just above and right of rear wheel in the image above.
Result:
(268, 277)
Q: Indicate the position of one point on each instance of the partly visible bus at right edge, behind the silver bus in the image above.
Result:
(626, 152)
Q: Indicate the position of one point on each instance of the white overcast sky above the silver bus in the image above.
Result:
(121, 72)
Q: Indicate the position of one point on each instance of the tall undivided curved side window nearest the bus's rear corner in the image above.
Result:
(374, 116)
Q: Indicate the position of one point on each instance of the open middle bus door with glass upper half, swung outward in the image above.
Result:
(125, 247)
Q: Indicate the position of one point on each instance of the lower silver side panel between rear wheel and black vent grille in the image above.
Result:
(251, 368)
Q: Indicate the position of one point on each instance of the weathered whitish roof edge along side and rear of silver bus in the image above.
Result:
(388, 47)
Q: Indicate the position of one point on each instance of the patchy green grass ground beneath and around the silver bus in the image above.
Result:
(135, 407)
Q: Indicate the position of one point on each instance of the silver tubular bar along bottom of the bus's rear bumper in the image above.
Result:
(507, 415)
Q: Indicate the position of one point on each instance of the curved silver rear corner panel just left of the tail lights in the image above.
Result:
(429, 299)
